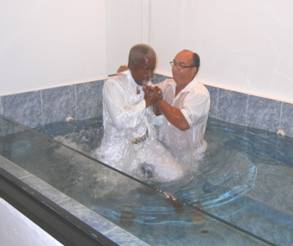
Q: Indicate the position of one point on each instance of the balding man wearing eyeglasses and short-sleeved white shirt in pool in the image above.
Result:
(185, 106)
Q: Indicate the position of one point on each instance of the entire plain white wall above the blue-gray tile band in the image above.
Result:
(244, 45)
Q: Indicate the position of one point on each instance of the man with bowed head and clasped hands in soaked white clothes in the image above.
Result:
(129, 142)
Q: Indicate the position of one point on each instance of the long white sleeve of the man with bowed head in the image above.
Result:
(123, 114)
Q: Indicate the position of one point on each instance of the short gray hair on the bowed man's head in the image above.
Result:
(139, 53)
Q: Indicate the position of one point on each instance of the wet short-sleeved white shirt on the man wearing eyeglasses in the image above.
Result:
(194, 103)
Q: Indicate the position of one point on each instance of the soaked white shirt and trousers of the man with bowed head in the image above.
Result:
(129, 139)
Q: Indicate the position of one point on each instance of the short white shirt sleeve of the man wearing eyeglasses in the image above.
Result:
(195, 106)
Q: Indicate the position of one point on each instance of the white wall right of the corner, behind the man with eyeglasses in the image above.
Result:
(244, 45)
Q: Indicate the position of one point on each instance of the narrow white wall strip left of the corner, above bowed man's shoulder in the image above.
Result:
(127, 24)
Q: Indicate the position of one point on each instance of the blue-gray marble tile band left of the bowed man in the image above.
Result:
(37, 108)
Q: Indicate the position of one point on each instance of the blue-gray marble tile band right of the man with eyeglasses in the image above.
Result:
(252, 111)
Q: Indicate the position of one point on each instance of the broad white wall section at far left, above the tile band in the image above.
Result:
(50, 43)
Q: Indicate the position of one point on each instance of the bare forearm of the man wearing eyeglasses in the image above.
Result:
(173, 115)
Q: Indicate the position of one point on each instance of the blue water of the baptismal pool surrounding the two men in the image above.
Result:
(240, 194)
